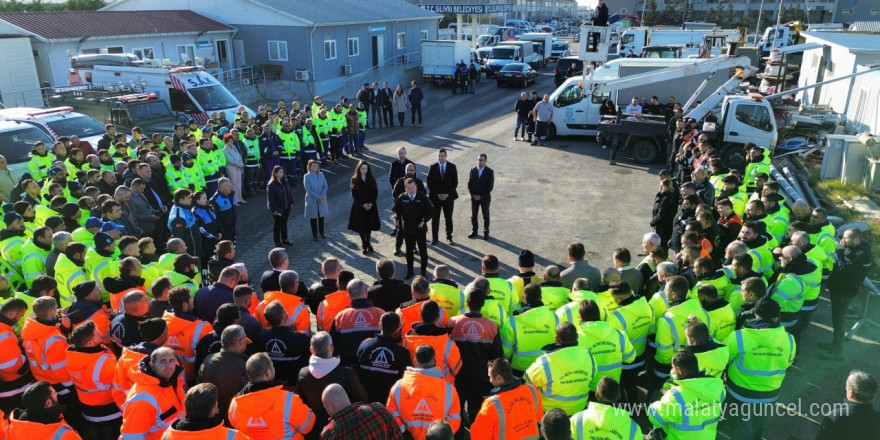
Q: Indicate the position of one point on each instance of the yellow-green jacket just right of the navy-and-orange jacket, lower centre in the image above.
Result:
(525, 333)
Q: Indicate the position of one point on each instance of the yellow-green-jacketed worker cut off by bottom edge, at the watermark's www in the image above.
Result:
(602, 418)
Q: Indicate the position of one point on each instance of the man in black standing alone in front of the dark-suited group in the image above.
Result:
(412, 211)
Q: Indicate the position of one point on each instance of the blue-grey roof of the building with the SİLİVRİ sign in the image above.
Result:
(324, 12)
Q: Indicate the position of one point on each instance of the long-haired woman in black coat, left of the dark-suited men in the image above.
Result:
(364, 217)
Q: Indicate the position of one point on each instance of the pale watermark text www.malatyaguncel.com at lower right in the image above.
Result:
(744, 411)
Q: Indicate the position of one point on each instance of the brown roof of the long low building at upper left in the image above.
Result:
(79, 24)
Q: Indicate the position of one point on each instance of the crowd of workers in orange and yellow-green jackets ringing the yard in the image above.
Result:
(136, 322)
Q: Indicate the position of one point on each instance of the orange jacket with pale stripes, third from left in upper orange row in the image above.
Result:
(92, 370)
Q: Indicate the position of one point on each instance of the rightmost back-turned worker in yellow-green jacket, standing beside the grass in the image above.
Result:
(760, 354)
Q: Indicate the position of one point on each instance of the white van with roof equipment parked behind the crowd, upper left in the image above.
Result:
(186, 89)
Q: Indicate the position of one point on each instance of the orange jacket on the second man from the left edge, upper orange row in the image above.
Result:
(46, 348)
